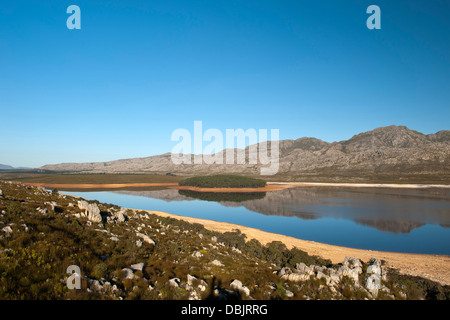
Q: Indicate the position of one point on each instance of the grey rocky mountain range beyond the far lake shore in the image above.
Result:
(386, 153)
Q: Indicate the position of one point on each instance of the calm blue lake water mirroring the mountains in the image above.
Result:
(398, 221)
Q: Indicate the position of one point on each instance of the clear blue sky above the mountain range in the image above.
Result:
(137, 70)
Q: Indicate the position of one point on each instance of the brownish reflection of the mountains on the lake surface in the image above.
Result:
(391, 210)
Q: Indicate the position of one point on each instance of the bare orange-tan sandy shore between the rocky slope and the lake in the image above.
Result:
(433, 267)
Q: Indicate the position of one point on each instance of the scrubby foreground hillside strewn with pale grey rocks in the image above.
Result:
(132, 254)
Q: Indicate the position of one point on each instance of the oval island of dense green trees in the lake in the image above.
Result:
(223, 181)
